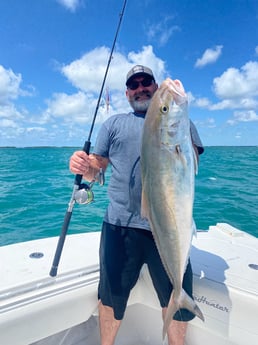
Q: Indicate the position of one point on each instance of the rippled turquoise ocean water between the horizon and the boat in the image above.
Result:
(36, 186)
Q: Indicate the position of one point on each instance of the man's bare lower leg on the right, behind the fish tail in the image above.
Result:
(176, 331)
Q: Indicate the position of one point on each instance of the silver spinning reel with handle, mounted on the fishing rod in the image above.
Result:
(84, 194)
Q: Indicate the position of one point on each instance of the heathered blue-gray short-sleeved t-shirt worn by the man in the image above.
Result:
(119, 140)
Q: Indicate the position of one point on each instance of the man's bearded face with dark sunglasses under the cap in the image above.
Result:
(138, 95)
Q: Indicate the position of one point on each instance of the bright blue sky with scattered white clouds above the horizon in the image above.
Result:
(53, 56)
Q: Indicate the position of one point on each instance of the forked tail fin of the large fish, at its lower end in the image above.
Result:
(183, 302)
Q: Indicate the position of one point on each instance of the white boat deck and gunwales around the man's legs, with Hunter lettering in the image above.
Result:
(34, 305)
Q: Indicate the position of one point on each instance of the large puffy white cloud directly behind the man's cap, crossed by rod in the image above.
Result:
(87, 73)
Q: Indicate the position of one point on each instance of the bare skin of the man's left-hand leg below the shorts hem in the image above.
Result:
(108, 325)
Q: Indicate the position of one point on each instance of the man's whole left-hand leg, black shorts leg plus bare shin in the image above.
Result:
(120, 262)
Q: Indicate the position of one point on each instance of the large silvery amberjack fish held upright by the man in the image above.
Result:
(169, 164)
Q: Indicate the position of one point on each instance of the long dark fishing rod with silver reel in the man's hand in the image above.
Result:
(82, 192)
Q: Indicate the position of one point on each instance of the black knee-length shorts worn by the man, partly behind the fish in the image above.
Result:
(123, 251)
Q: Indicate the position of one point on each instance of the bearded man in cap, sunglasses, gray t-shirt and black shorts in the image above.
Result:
(126, 239)
